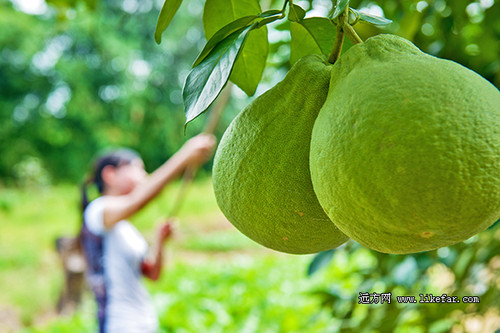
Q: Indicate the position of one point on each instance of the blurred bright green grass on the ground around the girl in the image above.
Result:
(215, 280)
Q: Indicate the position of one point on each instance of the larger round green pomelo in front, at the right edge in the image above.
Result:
(405, 152)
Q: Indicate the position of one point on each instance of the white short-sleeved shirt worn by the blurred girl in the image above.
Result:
(129, 308)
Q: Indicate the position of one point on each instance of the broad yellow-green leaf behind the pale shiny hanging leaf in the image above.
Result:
(250, 65)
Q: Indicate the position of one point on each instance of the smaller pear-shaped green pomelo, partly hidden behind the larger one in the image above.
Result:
(261, 169)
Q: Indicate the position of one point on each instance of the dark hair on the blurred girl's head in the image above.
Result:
(116, 158)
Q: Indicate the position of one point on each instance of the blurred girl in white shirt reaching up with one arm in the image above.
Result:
(117, 254)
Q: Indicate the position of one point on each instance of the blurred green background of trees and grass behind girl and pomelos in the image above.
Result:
(78, 76)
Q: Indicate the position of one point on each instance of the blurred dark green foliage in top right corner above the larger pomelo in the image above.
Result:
(467, 32)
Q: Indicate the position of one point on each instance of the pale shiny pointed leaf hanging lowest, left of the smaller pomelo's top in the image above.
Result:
(205, 81)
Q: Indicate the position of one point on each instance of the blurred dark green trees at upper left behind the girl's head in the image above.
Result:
(80, 78)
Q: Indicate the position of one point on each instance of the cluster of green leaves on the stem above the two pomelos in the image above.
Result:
(225, 55)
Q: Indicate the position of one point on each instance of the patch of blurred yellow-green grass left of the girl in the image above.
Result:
(31, 221)
